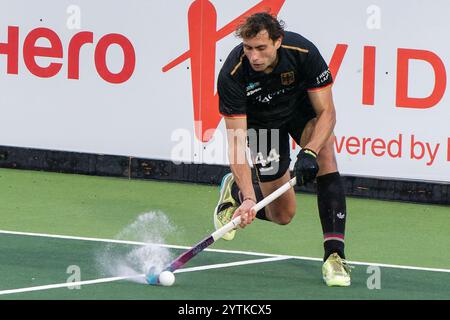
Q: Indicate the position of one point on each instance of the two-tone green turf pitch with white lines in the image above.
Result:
(410, 241)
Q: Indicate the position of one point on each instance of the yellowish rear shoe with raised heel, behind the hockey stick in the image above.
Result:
(226, 206)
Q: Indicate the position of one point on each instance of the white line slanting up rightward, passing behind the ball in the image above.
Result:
(137, 276)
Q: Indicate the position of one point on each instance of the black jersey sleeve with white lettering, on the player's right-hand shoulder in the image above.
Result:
(318, 75)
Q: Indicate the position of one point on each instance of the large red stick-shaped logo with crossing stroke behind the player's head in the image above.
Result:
(203, 36)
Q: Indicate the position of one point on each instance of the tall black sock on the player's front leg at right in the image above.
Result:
(332, 211)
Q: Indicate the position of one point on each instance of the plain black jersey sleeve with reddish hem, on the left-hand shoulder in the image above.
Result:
(232, 100)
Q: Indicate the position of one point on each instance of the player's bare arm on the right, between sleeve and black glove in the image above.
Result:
(322, 102)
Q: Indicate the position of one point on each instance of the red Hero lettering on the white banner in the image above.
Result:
(31, 51)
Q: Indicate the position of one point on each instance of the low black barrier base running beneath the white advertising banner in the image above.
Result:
(137, 168)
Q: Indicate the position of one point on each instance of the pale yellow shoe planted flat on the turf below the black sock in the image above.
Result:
(336, 271)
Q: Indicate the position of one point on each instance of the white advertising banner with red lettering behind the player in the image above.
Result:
(138, 78)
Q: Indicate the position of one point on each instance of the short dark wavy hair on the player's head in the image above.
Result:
(258, 22)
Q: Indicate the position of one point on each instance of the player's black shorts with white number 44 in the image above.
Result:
(270, 149)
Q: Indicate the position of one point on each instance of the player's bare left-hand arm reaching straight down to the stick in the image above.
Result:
(237, 146)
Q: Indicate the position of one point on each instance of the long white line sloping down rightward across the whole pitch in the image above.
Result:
(250, 253)
